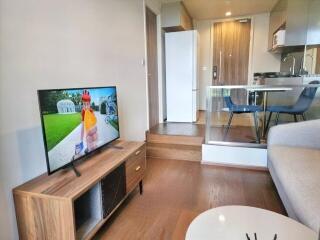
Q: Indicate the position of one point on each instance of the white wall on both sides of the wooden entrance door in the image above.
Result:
(261, 60)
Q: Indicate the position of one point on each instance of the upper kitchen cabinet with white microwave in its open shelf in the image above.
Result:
(289, 24)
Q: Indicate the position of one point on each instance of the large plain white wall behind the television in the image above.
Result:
(61, 44)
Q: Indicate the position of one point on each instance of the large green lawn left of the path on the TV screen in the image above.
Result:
(58, 126)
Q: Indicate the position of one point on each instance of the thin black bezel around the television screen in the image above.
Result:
(44, 132)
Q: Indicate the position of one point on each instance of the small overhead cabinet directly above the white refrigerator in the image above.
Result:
(175, 17)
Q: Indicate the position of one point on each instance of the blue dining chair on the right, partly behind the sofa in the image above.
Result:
(299, 108)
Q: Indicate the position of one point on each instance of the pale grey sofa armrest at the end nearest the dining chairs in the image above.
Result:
(303, 134)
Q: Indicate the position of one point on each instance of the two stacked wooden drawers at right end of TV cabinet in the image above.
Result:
(135, 168)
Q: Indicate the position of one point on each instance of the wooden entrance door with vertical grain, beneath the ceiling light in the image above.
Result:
(231, 47)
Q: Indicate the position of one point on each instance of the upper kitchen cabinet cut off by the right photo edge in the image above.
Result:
(313, 37)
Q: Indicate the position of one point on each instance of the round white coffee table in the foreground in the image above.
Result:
(233, 222)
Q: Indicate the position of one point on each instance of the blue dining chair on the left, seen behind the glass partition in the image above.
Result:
(240, 109)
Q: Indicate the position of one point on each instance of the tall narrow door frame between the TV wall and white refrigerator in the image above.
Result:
(156, 10)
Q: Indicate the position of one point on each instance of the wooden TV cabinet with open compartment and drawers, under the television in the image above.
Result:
(63, 206)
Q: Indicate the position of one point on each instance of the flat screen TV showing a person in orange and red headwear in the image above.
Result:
(76, 122)
